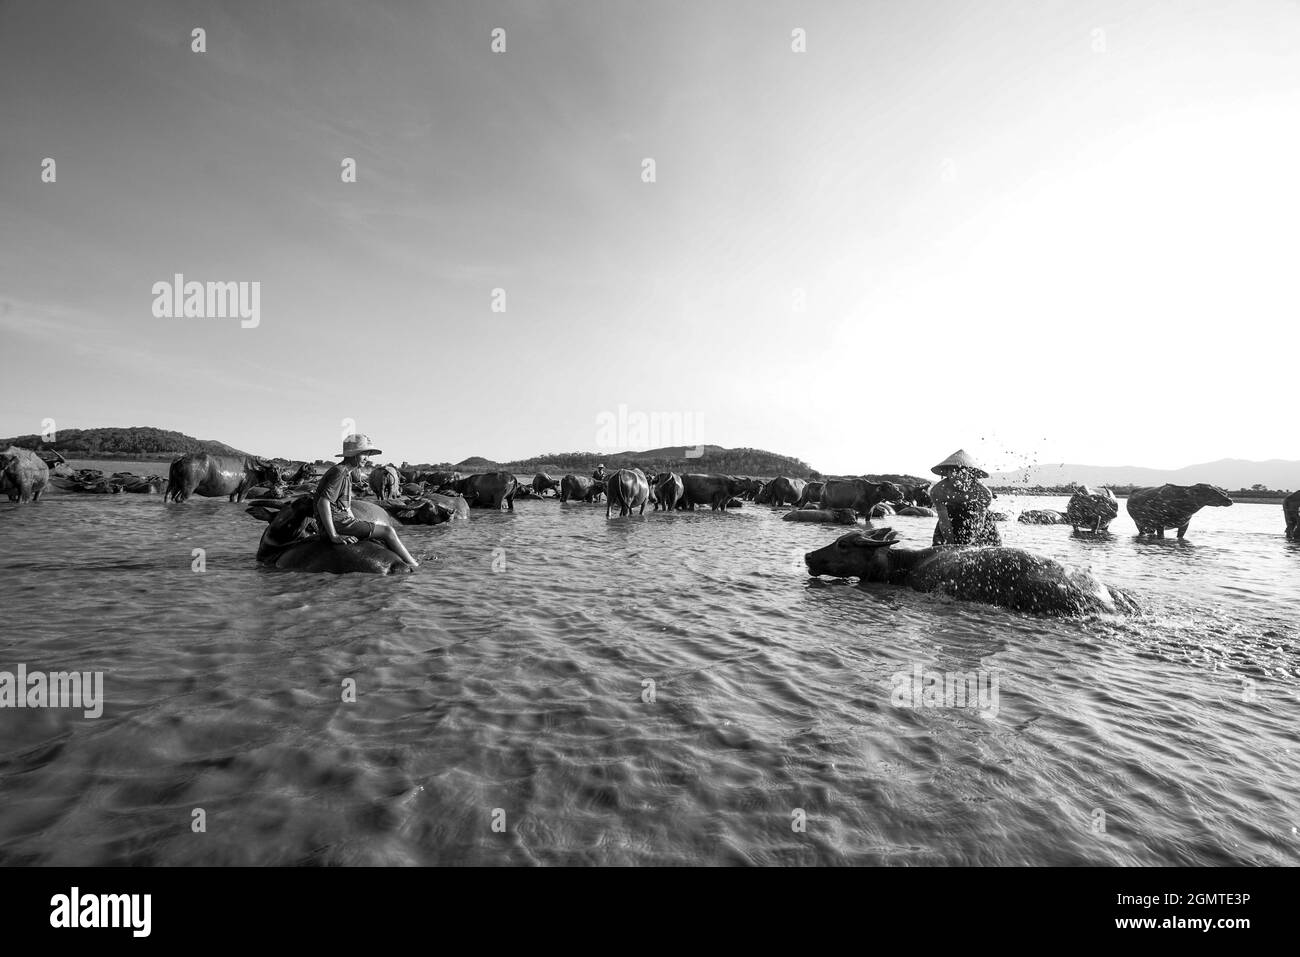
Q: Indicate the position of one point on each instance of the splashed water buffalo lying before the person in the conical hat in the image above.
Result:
(1009, 578)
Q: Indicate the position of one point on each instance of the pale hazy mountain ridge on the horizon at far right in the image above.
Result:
(1229, 474)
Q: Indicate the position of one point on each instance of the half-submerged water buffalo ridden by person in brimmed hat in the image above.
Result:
(292, 542)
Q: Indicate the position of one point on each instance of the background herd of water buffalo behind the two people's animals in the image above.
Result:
(423, 496)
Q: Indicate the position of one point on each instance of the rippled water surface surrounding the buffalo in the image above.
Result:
(657, 690)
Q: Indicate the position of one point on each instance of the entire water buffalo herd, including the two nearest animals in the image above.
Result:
(1012, 578)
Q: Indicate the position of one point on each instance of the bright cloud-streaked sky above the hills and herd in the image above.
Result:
(1043, 232)
